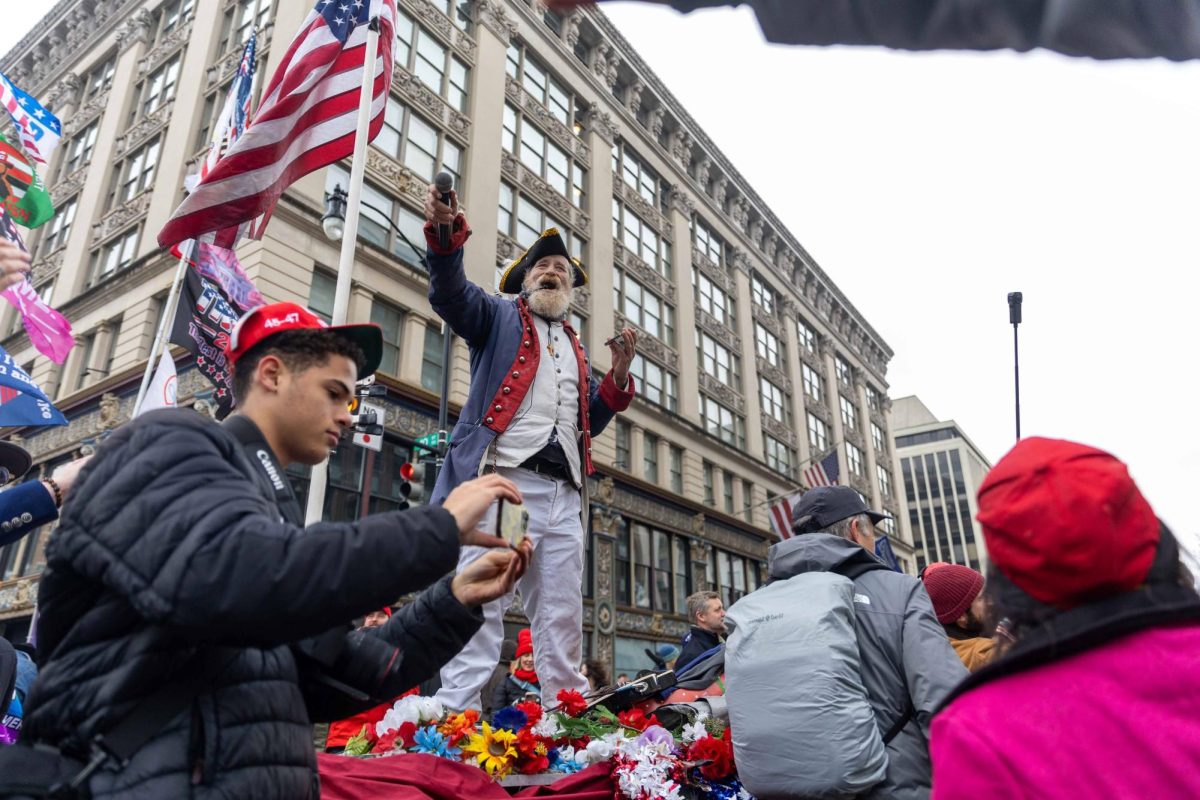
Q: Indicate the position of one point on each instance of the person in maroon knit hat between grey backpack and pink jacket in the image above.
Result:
(957, 593)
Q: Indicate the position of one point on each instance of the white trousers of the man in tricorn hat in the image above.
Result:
(551, 591)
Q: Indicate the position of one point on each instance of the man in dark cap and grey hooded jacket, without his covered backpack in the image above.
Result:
(908, 664)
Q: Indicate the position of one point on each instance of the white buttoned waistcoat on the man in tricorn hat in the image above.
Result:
(553, 405)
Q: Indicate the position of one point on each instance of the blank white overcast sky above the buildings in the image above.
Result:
(929, 187)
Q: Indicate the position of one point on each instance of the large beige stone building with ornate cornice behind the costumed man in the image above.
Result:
(753, 364)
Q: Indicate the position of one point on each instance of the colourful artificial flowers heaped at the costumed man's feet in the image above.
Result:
(649, 761)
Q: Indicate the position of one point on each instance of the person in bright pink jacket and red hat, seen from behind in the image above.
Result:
(1100, 695)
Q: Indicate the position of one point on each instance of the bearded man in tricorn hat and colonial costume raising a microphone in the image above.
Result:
(531, 414)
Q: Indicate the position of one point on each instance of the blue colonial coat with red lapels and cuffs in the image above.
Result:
(505, 356)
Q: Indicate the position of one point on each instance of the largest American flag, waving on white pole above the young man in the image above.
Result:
(307, 121)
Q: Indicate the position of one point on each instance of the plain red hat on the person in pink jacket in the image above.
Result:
(1066, 524)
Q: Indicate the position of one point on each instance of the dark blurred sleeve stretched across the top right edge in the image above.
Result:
(1100, 29)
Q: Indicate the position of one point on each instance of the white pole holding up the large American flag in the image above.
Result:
(316, 506)
